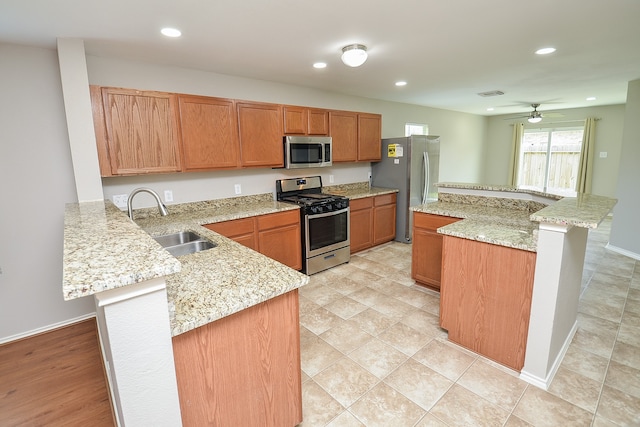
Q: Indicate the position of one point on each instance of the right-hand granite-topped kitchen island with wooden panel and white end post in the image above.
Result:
(512, 269)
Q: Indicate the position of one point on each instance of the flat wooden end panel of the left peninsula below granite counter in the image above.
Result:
(244, 369)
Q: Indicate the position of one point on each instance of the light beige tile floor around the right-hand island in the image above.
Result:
(373, 354)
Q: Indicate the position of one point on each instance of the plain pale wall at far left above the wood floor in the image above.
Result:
(36, 180)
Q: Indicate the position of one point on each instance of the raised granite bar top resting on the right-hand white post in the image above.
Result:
(585, 211)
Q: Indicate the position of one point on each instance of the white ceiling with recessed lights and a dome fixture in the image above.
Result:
(448, 51)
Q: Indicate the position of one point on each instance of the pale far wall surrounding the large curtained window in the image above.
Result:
(608, 139)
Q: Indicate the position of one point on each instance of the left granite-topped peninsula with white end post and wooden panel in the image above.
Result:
(170, 328)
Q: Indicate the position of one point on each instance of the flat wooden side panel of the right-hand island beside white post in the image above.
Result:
(485, 300)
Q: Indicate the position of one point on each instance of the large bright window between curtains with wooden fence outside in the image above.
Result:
(549, 158)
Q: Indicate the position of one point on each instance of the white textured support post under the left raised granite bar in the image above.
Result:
(136, 341)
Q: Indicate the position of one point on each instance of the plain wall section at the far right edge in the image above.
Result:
(625, 227)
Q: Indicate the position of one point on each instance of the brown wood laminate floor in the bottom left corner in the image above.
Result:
(55, 379)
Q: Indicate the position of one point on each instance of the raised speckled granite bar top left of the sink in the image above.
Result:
(104, 249)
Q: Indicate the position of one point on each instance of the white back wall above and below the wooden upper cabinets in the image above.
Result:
(462, 134)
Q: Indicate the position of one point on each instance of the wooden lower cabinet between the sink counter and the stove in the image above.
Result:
(275, 235)
